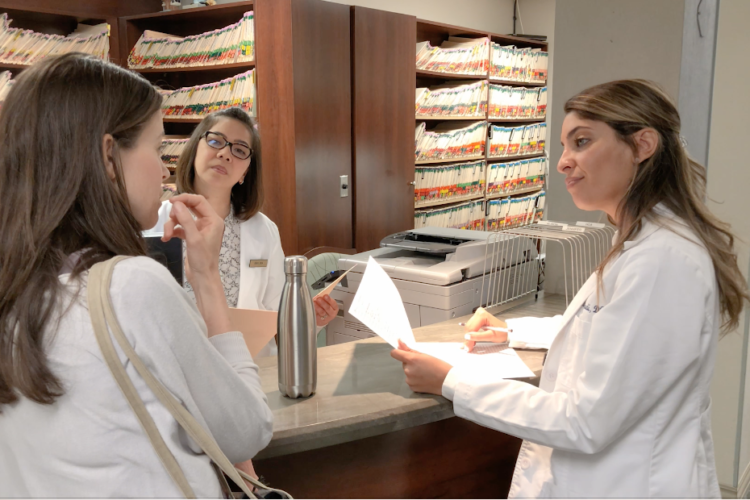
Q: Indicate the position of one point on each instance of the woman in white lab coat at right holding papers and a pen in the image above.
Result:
(623, 407)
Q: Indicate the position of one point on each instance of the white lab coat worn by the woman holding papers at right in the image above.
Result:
(623, 407)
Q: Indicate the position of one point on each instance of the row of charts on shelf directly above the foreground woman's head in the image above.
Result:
(25, 47)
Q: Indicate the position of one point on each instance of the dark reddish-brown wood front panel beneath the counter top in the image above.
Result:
(452, 458)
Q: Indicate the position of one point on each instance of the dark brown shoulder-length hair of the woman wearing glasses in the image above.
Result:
(246, 198)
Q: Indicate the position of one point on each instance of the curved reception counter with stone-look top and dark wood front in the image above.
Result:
(365, 434)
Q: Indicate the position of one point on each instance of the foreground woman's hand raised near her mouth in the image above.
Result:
(202, 235)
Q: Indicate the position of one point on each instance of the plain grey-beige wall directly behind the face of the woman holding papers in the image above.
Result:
(596, 41)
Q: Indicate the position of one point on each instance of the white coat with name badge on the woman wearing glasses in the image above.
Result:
(260, 287)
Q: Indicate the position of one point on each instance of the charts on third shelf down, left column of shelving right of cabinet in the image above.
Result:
(450, 140)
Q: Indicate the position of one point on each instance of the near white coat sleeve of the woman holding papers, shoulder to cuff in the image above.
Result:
(643, 345)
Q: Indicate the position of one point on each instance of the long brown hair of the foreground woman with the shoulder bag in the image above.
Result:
(57, 199)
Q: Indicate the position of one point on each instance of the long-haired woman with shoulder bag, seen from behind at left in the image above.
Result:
(80, 178)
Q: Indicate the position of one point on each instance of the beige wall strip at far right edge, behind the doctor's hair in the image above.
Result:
(728, 183)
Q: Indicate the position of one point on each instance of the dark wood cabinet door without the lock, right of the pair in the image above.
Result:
(383, 124)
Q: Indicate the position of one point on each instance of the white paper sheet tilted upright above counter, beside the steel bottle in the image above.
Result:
(378, 305)
